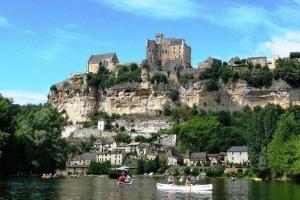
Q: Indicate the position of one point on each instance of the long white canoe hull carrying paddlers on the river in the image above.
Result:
(184, 188)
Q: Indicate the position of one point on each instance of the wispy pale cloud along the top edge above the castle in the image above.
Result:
(170, 9)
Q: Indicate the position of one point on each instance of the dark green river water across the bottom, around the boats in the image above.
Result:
(143, 188)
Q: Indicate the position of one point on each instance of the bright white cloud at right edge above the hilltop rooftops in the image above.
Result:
(281, 45)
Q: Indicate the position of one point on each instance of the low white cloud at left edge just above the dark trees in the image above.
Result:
(25, 97)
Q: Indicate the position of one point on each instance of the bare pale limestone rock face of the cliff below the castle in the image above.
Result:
(76, 100)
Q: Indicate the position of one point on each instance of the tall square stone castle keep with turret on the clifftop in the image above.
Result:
(168, 54)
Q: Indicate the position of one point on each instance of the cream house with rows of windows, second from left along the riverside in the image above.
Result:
(115, 157)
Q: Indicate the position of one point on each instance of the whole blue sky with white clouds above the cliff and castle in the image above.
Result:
(43, 42)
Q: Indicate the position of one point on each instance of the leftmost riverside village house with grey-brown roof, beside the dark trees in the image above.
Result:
(79, 164)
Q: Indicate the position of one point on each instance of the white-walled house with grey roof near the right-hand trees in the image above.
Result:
(237, 155)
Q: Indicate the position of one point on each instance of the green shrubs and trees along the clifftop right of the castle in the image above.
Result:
(255, 75)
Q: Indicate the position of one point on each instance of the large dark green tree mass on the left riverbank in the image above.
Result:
(30, 138)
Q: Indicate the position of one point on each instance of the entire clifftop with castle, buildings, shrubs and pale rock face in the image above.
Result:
(165, 80)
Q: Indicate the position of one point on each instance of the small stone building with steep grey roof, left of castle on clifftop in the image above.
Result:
(108, 60)
